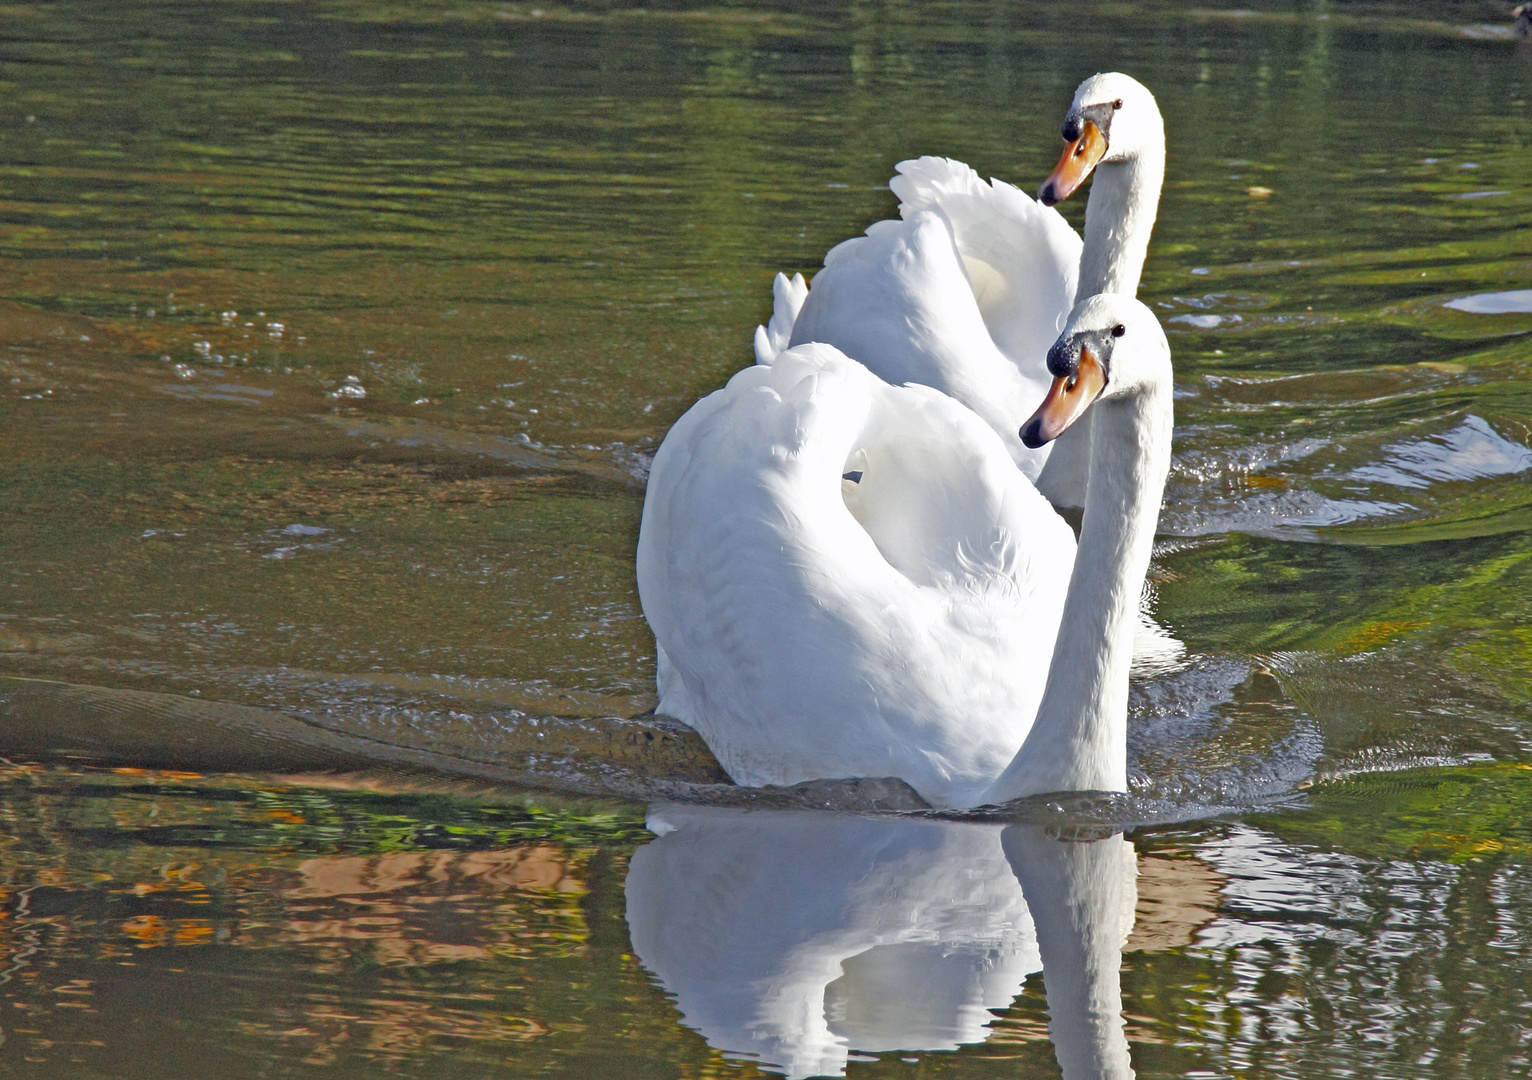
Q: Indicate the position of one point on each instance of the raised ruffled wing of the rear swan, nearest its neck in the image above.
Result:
(1021, 257)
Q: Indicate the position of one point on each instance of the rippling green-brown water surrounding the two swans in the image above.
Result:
(336, 342)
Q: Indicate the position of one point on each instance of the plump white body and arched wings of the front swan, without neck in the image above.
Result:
(897, 624)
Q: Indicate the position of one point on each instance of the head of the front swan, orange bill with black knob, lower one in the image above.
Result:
(1111, 347)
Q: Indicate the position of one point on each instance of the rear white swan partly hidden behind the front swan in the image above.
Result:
(967, 292)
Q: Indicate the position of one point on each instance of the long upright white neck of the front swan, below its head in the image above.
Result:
(1079, 741)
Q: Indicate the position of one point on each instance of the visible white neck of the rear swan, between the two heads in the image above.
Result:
(1119, 217)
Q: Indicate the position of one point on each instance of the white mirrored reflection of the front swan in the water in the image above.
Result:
(800, 938)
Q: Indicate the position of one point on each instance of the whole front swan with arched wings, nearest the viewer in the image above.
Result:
(848, 578)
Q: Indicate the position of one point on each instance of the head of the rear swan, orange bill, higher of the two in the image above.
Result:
(1113, 119)
